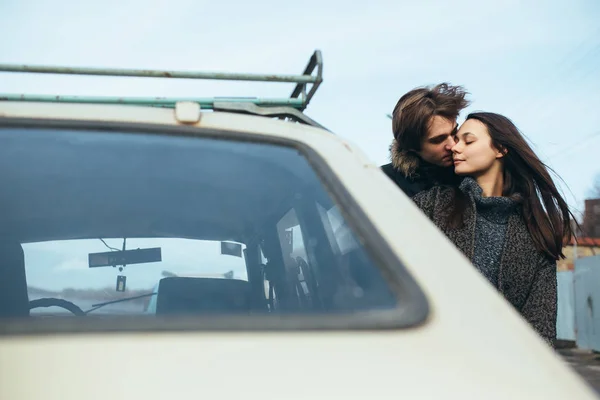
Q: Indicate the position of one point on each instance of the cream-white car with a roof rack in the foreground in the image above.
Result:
(101, 196)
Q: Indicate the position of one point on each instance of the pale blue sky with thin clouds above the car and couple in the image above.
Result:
(535, 61)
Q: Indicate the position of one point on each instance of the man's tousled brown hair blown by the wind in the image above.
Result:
(412, 117)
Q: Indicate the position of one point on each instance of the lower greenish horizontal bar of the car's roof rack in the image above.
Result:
(205, 103)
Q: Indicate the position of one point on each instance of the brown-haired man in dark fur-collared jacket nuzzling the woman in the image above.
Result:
(424, 125)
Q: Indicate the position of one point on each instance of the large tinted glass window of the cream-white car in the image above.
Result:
(113, 223)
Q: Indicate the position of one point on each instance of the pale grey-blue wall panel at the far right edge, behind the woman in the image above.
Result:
(587, 302)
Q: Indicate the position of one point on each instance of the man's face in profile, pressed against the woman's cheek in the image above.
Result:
(436, 147)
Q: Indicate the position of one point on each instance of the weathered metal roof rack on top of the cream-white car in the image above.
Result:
(290, 108)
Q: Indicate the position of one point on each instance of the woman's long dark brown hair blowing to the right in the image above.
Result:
(545, 212)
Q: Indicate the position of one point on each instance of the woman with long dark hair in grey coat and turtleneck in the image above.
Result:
(506, 216)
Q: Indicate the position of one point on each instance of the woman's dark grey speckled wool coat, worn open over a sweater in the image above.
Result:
(524, 275)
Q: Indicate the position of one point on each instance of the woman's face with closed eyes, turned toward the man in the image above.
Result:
(473, 153)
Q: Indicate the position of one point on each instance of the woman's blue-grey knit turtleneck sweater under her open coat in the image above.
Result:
(490, 228)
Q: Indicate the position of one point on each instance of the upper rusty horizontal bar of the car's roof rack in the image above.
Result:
(300, 79)
